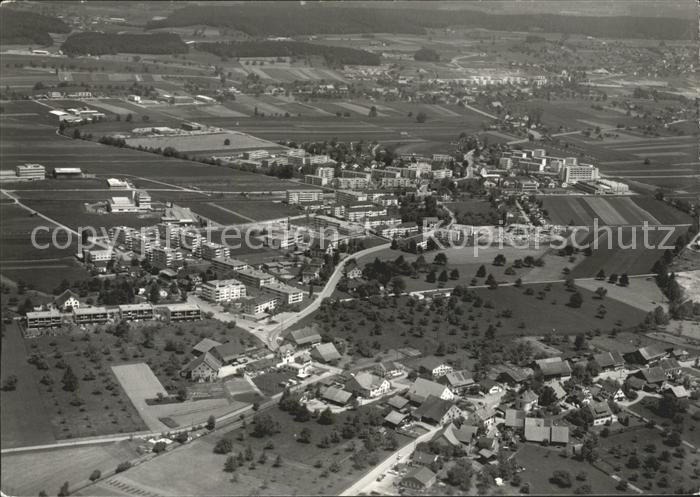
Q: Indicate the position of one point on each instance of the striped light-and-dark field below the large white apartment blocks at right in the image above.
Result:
(608, 211)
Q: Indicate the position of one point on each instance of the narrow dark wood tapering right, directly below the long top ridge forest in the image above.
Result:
(334, 56)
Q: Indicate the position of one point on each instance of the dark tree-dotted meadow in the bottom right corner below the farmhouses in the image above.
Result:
(616, 450)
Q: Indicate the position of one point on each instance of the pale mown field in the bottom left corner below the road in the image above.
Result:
(32, 472)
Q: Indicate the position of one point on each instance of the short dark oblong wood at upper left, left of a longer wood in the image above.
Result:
(110, 43)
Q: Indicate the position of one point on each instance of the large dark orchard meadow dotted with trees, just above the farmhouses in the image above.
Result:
(357, 320)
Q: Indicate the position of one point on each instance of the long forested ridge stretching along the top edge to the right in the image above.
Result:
(290, 19)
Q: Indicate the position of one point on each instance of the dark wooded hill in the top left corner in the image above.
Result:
(23, 27)
